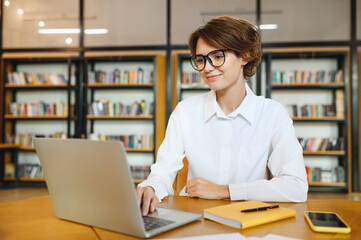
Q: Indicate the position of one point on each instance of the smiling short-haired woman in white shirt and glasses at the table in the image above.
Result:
(229, 135)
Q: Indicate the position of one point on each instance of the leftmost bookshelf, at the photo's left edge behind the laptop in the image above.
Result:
(38, 98)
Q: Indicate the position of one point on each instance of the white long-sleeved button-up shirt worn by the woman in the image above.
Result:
(234, 149)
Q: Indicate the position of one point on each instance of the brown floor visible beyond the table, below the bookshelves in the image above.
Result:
(8, 195)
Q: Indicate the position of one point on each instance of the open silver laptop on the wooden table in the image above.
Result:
(89, 182)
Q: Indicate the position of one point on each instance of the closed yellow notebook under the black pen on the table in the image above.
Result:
(232, 216)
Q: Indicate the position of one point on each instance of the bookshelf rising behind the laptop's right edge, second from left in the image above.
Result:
(125, 100)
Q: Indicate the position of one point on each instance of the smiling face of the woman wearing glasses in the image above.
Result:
(225, 76)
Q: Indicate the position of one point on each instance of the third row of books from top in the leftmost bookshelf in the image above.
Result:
(26, 140)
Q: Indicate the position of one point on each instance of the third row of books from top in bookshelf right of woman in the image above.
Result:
(322, 144)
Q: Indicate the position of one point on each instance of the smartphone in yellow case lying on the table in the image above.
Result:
(326, 222)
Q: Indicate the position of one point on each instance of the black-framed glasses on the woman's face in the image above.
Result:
(216, 58)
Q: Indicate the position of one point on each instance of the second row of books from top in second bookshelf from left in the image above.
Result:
(107, 108)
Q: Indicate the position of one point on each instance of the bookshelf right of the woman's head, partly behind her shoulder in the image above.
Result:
(313, 87)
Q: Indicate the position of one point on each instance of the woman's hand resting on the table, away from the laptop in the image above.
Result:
(202, 188)
